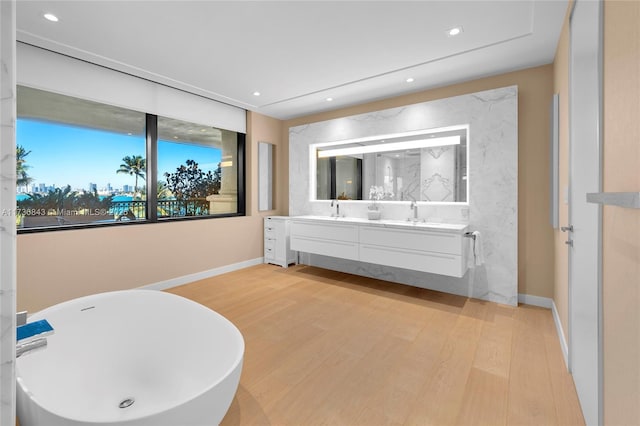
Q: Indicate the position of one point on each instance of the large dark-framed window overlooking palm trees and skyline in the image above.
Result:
(82, 163)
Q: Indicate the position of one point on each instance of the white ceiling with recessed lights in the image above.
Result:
(299, 53)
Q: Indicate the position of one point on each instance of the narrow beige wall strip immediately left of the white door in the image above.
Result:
(561, 264)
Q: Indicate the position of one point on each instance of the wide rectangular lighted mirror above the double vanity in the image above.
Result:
(424, 165)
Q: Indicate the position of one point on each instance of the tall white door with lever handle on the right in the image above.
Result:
(584, 233)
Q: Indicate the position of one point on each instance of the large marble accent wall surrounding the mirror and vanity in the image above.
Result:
(492, 117)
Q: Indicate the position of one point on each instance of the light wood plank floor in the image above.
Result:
(324, 347)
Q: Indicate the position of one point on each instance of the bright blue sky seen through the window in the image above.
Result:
(66, 155)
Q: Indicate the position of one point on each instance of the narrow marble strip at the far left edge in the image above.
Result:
(7, 209)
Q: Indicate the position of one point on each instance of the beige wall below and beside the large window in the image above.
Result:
(61, 265)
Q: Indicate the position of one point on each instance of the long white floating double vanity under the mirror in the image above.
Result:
(436, 248)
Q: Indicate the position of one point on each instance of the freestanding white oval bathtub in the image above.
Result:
(133, 357)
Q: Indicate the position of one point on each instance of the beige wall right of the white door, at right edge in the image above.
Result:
(621, 227)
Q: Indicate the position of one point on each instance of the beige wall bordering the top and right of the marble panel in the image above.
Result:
(535, 235)
